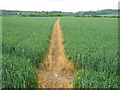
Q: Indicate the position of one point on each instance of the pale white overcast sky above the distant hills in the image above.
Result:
(58, 5)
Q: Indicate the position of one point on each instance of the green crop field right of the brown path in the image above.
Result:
(92, 45)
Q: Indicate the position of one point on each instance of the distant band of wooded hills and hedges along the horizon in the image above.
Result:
(113, 12)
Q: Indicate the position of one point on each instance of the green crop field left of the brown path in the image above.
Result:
(24, 44)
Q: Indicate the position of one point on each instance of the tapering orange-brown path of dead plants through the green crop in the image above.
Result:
(56, 71)
